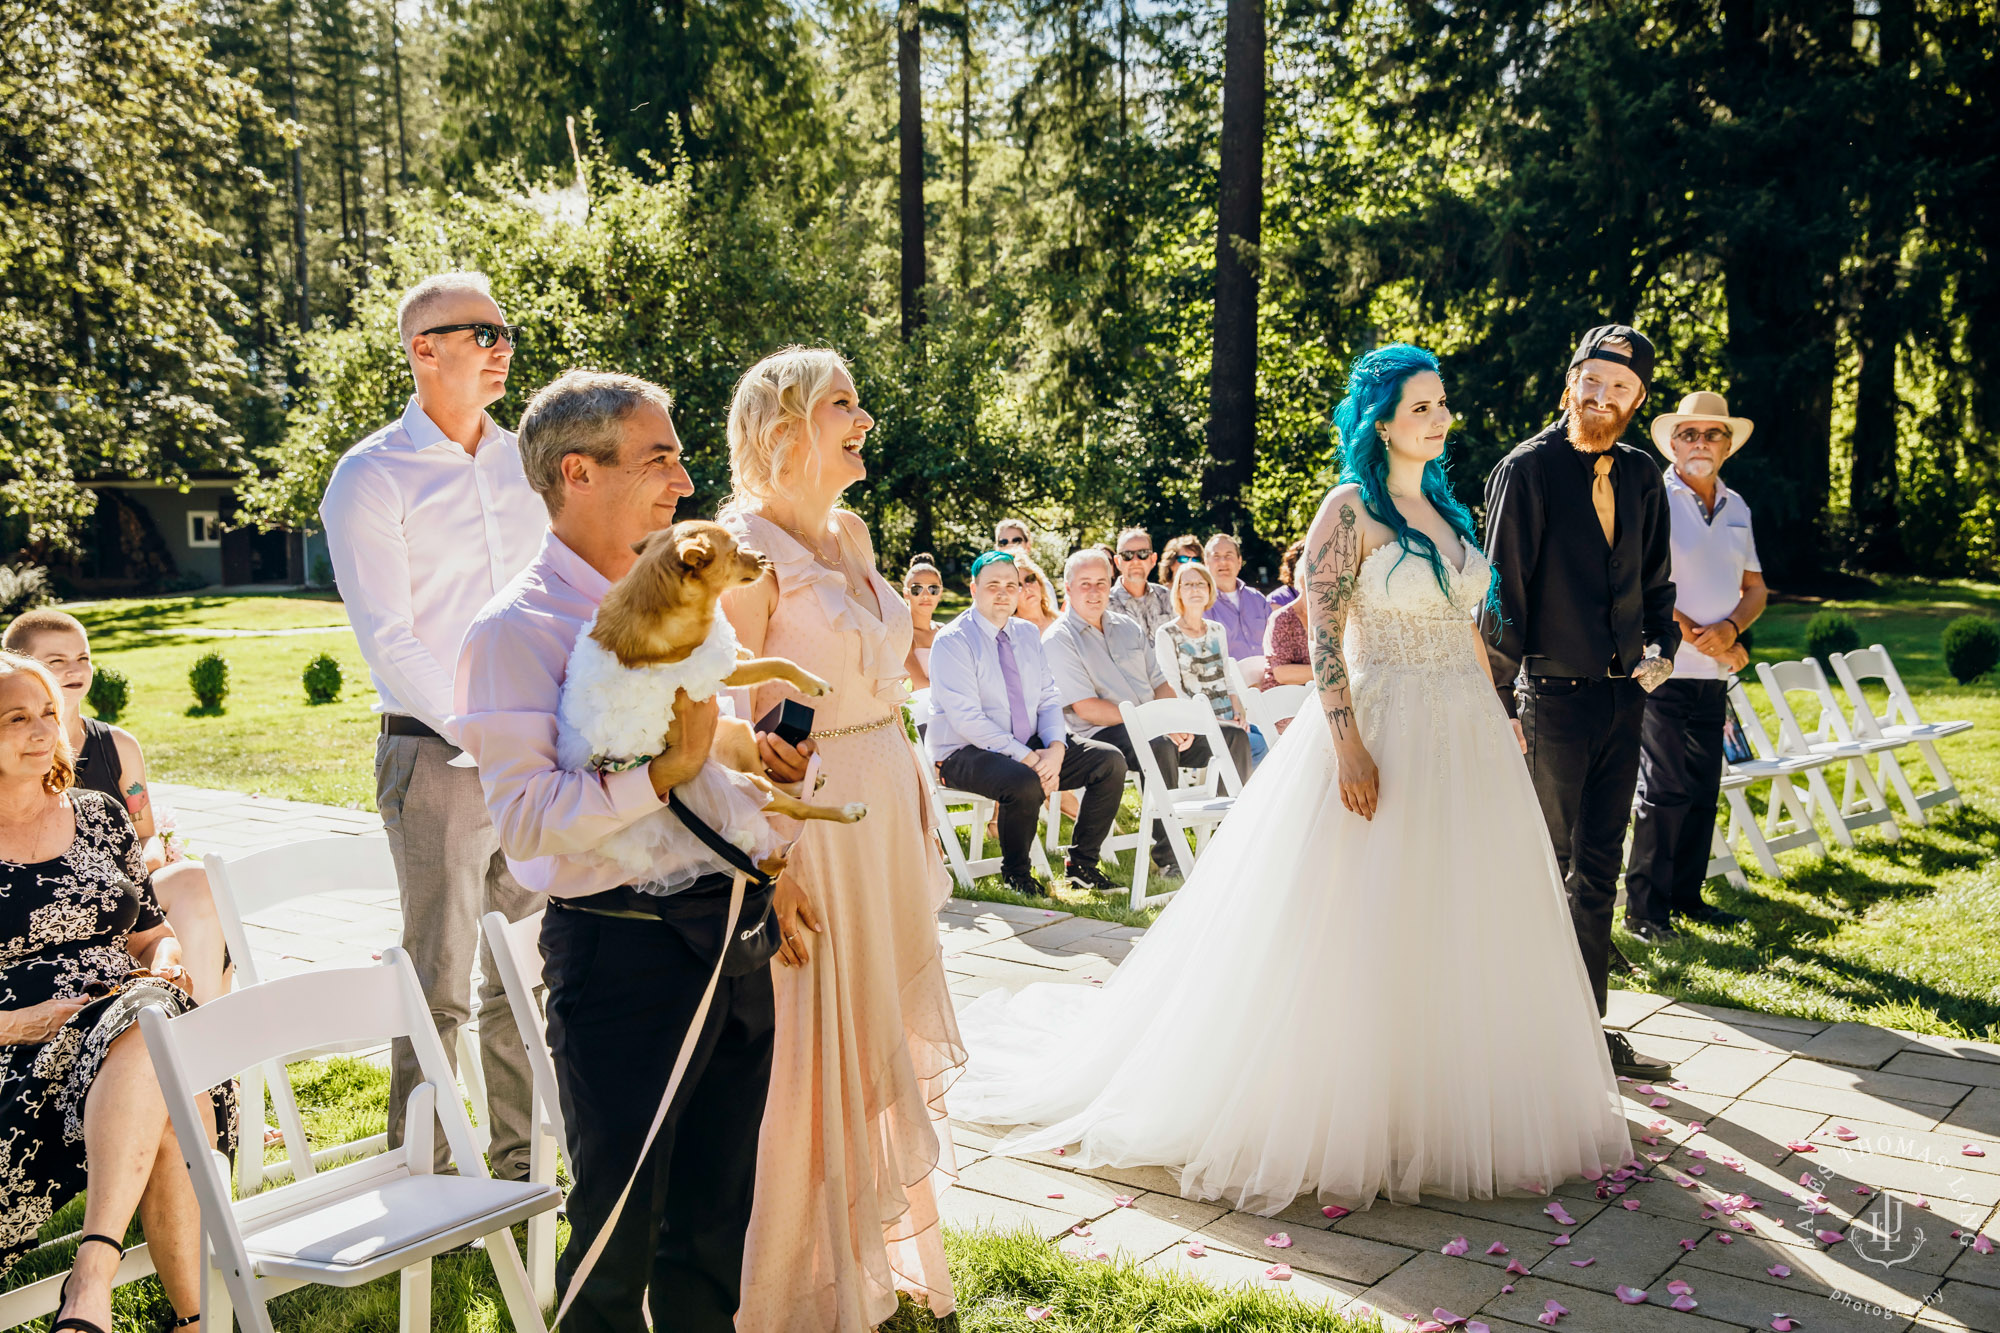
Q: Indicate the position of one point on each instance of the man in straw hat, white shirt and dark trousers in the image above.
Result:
(1717, 595)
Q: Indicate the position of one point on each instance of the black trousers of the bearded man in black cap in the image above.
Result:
(1583, 754)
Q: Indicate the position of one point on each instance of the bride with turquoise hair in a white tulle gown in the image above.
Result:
(1371, 984)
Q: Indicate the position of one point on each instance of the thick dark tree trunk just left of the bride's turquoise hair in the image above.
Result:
(1239, 231)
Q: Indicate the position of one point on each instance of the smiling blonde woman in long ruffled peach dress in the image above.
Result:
(855, 1144)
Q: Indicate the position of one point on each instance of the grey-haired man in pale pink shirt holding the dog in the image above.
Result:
(625, 964)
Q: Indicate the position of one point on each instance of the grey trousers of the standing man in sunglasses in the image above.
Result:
(451, 874)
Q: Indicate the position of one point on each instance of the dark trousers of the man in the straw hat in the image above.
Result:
(1679, 784)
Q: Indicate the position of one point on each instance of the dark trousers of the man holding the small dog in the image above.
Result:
(621, 998)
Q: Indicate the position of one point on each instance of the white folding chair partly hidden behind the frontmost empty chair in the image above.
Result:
(273, 878)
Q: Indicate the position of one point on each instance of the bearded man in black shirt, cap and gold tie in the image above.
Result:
(1577, 529)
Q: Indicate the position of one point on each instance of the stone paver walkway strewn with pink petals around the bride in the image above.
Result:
(1775, 1132)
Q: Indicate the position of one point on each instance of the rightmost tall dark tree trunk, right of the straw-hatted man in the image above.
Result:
(1881, 323)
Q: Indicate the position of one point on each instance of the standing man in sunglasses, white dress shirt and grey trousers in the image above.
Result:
(427, 519)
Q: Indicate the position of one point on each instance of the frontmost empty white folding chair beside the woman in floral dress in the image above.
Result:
(351, 1224)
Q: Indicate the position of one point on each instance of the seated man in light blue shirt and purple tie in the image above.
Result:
(997, 732)
